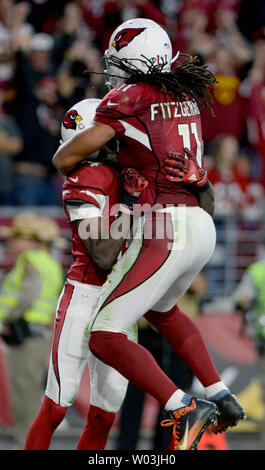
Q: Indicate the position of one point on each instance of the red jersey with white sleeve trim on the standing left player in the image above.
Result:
(90, 191)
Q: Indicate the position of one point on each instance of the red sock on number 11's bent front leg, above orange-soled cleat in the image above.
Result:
(134, 362)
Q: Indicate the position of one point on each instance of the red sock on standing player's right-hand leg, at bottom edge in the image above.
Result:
(96, 432)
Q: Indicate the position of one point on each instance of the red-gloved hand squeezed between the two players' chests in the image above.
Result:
(133, 184)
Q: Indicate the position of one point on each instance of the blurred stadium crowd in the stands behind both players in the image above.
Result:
(49, 48)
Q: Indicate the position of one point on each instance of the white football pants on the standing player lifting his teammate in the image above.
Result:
(70, 353)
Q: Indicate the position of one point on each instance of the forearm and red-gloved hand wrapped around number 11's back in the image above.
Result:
(187, 170)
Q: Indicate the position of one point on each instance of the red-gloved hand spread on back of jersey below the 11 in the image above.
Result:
(185, 169)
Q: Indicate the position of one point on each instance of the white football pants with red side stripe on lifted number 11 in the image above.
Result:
(164, 257)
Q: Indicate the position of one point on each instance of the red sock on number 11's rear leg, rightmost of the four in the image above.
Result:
(185, 338)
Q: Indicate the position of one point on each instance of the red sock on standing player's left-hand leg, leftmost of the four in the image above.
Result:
(47, 420)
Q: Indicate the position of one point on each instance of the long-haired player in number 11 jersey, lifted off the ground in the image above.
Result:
(154, 111)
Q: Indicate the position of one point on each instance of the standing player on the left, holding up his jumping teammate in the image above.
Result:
(89, 193)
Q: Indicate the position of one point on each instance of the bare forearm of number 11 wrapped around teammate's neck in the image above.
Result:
(79, 147)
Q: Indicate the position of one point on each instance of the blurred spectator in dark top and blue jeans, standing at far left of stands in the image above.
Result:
(39, 113)
